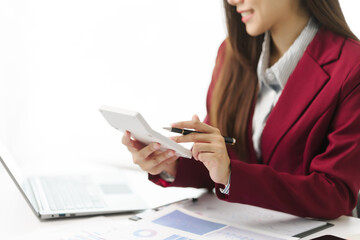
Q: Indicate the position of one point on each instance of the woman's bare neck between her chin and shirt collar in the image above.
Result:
(285, 33)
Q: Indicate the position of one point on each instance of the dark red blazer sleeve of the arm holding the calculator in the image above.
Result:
(192, 173)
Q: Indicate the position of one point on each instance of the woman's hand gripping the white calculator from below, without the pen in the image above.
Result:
(150, 158)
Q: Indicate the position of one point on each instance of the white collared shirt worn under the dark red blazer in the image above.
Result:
(272, 80)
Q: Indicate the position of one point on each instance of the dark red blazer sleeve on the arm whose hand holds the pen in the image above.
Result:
(331, 187)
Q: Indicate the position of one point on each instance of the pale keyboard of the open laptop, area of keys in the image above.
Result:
(71, 192)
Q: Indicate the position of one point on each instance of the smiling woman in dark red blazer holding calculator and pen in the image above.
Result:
(286, 85)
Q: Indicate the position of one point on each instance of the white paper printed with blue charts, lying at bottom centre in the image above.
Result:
(177, 223)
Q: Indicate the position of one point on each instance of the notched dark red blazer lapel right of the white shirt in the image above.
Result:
(302, 87)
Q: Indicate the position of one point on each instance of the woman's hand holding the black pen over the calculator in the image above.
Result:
(209, 148)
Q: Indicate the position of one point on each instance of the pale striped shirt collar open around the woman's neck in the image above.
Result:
(277, 75)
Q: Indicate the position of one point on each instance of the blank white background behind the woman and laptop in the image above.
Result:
(61, 60)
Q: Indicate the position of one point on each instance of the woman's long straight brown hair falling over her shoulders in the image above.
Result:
(236, 88)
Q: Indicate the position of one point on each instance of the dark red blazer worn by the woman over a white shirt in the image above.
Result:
(310, 144)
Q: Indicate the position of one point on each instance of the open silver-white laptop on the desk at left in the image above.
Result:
(72, 195)
